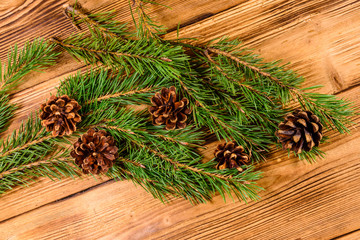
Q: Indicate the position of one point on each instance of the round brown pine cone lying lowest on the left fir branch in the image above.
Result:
(95, 151)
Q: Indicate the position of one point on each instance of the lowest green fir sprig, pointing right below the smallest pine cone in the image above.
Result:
(196, 183)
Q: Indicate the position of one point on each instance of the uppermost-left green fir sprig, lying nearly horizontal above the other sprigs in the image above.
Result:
(139, 55)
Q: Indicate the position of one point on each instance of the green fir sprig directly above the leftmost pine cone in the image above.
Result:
(116, 87)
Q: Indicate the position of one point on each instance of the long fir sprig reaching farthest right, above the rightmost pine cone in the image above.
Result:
(283, 84)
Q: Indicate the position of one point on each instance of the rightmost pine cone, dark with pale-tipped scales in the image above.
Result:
(300, 131)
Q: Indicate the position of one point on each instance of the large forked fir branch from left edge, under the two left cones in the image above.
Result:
(164, 163)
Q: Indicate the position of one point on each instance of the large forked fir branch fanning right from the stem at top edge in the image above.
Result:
(236, 95)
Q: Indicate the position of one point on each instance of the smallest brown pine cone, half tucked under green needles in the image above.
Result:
(230, 155)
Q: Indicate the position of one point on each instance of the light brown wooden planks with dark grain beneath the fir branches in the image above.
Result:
(321, 39)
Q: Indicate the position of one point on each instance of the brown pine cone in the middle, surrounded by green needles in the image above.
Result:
(168, 110)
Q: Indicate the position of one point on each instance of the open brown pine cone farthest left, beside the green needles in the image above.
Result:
(59, 115)
